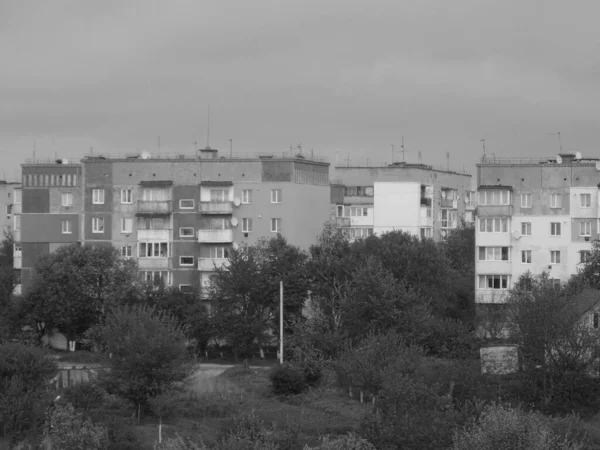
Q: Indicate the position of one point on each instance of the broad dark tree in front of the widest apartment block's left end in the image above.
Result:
(74, 286)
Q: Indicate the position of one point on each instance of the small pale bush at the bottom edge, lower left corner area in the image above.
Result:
(70, 431)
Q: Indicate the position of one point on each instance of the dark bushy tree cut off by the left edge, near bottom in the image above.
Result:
(25, 374)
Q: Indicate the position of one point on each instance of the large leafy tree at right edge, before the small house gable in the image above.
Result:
(558, 348)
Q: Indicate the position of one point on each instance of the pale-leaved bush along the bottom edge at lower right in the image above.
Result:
(502, 428)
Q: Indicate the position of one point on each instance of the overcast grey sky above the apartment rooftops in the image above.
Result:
(343, 76)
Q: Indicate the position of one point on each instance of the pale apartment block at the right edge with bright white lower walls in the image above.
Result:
(533, 215)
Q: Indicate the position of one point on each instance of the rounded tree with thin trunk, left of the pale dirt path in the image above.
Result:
(147, 352)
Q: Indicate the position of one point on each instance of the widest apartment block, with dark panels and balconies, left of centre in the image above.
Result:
(178, 216)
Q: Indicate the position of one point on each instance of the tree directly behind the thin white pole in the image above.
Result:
(245, 296)
